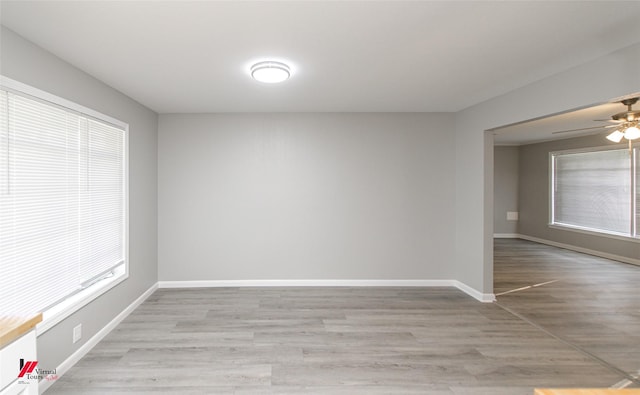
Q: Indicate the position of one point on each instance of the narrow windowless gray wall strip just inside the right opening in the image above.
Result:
(505, 189)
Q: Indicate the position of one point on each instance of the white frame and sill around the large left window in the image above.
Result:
(57, 313)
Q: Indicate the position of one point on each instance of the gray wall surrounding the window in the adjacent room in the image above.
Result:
(534, 199)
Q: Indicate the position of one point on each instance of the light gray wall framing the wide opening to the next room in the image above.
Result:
(600, 80)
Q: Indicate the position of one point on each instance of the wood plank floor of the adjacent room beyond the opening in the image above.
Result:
(590, 302)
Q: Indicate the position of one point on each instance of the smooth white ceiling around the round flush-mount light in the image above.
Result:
(179, 56)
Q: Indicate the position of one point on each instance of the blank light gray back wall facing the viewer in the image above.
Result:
(306, 196)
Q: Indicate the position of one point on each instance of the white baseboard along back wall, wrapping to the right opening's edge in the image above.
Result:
(486, 298)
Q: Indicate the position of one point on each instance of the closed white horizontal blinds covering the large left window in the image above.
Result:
(62, 202)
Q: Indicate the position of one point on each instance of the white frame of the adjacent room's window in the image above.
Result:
(586, 230)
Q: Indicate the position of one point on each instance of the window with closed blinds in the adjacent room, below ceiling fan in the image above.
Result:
(597, 190)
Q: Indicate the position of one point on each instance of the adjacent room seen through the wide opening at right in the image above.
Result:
(565, 196)
